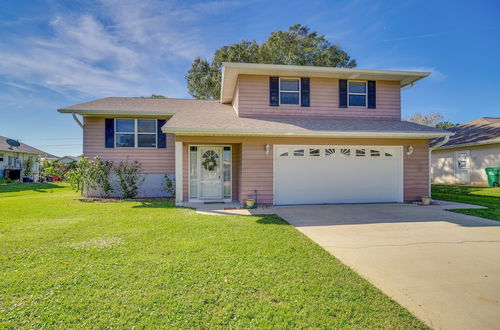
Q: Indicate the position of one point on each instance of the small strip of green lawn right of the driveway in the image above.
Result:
(485, 196)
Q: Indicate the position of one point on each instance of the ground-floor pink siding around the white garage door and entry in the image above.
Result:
(257, 168)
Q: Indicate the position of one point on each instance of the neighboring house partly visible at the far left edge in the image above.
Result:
(13, 158)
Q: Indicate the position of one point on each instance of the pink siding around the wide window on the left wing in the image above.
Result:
(152, 160)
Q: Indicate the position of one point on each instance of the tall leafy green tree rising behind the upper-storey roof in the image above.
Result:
(295, 46)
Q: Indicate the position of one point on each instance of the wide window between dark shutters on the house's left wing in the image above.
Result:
(131, 133)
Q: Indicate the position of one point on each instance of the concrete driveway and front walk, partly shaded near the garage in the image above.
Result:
(443, 266)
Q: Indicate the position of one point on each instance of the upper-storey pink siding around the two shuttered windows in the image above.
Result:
(253, 100)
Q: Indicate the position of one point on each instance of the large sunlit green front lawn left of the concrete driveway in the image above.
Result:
(69, 263)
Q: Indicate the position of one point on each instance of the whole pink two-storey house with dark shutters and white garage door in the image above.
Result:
(282, 134)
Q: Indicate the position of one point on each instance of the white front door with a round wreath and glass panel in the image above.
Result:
(210, 183)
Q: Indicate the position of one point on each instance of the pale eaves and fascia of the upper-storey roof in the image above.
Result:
(230, 72)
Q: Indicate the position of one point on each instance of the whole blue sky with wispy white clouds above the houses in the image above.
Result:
(58, 53)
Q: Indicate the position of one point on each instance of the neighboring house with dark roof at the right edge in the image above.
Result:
(474, 147)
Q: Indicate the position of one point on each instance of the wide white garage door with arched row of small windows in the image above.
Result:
(337, 174)
